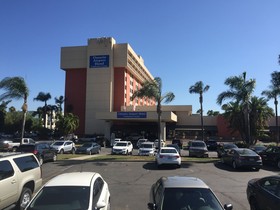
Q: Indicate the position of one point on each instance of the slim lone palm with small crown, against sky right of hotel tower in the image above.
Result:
(199, 88)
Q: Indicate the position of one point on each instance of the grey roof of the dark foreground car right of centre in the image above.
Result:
(183, 182)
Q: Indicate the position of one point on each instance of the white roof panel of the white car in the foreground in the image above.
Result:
(73, 179)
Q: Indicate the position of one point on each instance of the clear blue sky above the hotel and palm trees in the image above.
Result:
(181, 41)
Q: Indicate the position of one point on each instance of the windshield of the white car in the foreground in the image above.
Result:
(62, 197)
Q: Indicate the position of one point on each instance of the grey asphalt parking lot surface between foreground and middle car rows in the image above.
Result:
(130, 182)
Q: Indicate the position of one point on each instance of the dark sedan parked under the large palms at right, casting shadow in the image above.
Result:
(242, 157)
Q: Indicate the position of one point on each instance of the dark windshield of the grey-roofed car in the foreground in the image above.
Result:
(190, 198)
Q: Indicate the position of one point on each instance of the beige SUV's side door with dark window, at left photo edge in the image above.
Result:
(9, 182)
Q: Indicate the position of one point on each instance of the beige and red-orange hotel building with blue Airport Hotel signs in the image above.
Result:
(100, 80)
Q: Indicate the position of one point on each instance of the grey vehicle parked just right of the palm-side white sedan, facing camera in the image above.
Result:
(197, 148)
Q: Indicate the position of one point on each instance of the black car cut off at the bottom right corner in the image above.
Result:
(264, 193)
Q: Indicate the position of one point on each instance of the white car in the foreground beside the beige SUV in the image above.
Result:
(76, 190)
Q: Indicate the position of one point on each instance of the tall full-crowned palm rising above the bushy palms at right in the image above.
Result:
(241, 91)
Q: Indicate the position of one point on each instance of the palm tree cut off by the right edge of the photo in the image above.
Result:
(273, 93)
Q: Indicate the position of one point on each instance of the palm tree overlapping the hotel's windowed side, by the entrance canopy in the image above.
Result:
(153, 90)
